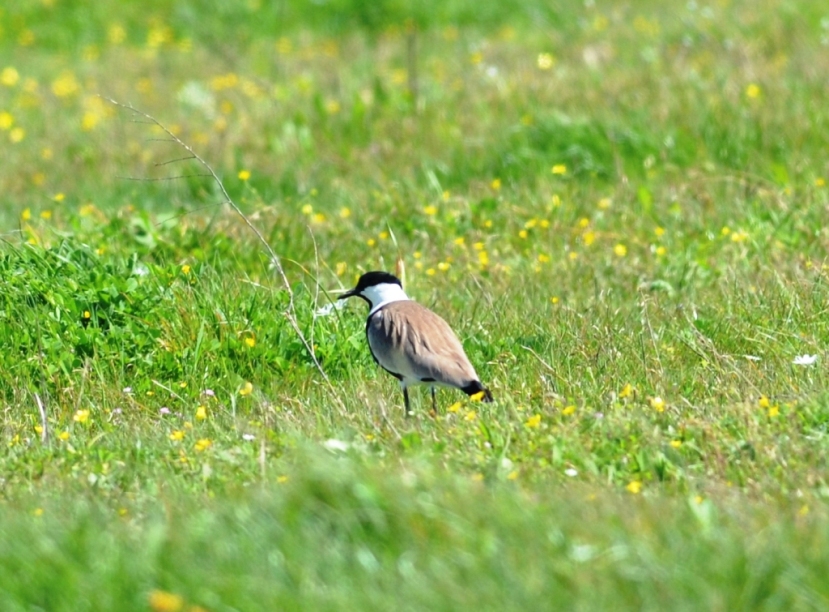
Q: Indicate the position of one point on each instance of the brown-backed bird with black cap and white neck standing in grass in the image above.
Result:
(411, 342)
